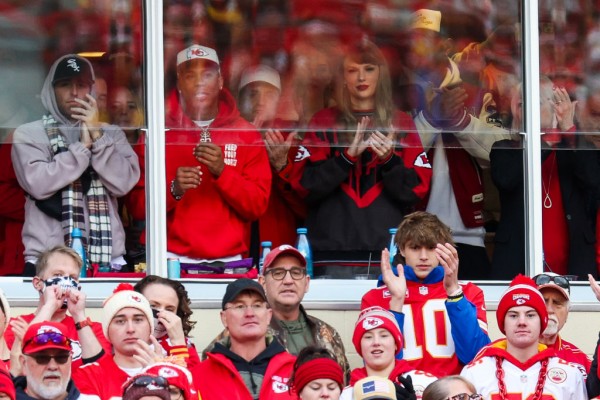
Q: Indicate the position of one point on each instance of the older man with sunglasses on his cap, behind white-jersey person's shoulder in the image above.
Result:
(556, 291)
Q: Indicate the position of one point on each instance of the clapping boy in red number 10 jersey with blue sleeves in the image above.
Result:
(446, 323)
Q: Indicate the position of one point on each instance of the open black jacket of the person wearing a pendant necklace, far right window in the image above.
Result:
(579, 179)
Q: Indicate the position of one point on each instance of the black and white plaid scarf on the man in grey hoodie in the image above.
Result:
(99, 248)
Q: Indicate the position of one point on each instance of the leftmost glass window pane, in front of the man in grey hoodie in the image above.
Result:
(71, 114)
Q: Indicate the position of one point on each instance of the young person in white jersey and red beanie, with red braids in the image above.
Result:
(519, 364)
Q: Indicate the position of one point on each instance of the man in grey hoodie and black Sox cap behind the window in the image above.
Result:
(73, 168)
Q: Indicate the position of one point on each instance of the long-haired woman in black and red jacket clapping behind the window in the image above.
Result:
(364, 168)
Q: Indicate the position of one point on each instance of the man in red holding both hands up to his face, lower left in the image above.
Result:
(57, 282)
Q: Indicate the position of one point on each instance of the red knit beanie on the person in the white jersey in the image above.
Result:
(522, 292)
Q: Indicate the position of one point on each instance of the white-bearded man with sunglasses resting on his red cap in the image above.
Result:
(46, 362)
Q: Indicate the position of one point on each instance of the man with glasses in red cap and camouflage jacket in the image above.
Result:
(285, 282)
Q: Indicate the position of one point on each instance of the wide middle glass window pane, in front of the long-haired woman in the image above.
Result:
(364, 113)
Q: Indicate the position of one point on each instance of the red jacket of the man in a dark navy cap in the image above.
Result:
(217, 378)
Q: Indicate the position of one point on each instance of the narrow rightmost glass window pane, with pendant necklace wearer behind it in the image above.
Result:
(570, 179)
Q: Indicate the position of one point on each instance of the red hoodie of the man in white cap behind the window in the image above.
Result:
(211, 221)
